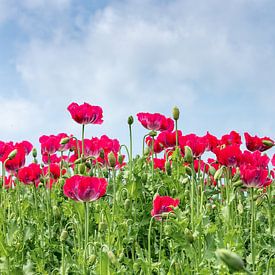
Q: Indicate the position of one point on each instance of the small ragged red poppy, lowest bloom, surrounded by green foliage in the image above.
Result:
(163, 204)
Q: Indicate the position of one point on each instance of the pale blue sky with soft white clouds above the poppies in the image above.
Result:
(213, 59)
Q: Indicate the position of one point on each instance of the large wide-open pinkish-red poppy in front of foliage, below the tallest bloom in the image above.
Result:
(83, 188)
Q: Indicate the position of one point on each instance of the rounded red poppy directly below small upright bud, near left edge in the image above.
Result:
(30, 174)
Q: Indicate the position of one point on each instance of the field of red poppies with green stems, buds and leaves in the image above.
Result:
(186, 204)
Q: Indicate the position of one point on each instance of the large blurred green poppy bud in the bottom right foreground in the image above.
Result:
(232, 260)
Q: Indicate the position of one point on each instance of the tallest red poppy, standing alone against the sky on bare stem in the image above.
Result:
(86, 113)
